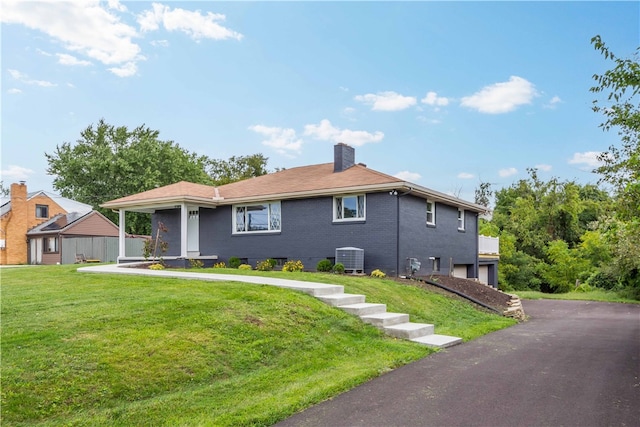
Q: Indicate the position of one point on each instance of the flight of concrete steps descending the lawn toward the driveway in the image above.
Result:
(394, 324)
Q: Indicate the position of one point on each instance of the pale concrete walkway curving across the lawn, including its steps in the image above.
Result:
(394, 324)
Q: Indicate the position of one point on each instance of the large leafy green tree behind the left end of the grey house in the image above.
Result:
(109, 162)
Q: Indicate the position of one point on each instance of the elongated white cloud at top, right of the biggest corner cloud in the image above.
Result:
(192, 23)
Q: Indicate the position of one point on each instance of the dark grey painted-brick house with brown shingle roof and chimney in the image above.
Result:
(308, 213)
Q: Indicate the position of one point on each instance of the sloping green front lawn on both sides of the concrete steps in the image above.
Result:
(92, 349)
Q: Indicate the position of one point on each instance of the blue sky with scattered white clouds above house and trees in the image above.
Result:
(442, 94)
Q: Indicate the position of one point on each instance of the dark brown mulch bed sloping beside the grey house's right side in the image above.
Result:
(485, 294)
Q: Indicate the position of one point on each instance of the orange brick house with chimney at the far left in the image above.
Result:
(24, 211)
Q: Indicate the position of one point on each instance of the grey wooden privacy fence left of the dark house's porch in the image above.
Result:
(103, 248)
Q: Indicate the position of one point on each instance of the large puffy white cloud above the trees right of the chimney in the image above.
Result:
(501, 97)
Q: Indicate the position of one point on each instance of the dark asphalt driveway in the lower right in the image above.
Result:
(574, 363)
